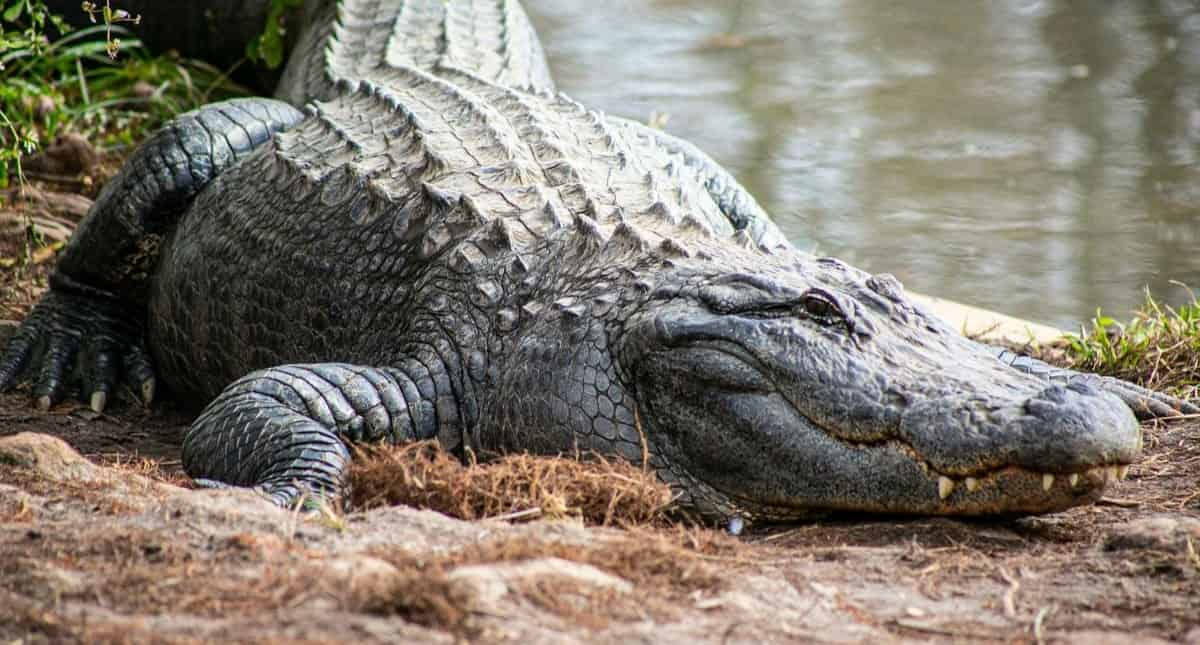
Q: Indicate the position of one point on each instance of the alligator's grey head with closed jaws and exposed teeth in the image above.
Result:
(778, 394)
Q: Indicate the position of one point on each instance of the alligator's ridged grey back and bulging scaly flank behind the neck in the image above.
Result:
(328, 243)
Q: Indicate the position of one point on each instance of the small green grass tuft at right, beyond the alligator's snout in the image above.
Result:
(1159, 349)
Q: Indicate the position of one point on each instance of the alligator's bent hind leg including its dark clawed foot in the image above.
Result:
(97, 304)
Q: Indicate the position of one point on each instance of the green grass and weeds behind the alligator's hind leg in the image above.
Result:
(100, 82)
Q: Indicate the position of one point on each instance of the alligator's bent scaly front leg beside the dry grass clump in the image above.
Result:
(283, 430)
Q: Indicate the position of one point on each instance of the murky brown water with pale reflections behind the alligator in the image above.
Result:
(1035, 158)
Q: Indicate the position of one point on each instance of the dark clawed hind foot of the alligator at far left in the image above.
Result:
(76, 325)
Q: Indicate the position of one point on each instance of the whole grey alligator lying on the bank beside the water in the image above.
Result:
(423, 239)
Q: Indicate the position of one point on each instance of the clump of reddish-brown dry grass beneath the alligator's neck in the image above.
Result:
(599, 491)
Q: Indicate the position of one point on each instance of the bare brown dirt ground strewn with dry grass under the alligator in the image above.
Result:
(101, 541)
